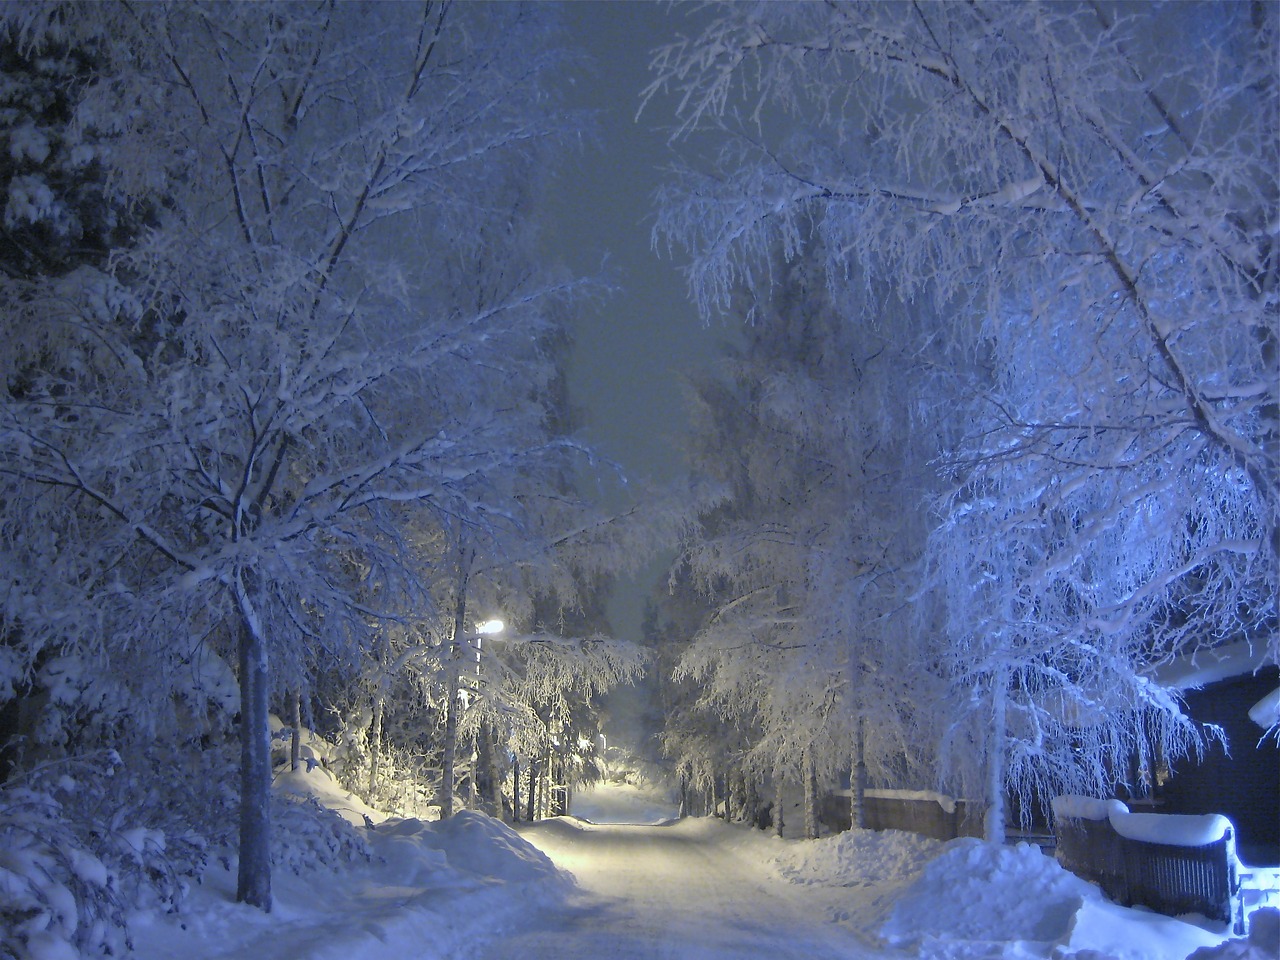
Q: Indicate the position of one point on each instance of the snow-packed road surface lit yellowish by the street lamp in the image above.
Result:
(671, 893)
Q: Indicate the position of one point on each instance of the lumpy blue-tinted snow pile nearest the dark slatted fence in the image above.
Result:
(979, 892)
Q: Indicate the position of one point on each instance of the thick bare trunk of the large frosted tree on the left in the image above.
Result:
(254, 880)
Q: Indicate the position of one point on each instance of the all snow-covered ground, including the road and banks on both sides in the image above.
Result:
(473, 889)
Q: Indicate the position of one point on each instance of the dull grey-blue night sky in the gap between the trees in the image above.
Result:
(632, 351)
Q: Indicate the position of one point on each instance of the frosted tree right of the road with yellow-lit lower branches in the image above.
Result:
(808, 563)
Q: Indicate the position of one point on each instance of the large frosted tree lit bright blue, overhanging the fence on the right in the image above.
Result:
(1086, 195)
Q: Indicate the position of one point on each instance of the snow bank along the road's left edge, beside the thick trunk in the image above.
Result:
(433, 892)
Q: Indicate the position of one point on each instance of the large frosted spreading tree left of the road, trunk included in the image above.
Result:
(236, 420)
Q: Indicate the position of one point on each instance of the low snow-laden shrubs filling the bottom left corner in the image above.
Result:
(85, 840)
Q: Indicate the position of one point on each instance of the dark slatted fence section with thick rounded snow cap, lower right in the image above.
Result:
(1174, 865)
